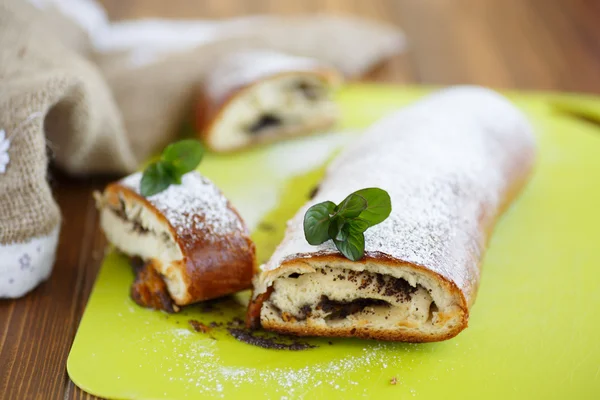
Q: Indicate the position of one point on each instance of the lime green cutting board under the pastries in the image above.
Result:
(533, 332)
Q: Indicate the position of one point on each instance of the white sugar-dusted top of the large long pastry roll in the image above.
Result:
(448, 163)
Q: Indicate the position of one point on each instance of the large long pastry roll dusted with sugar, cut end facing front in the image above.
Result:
(451, 164)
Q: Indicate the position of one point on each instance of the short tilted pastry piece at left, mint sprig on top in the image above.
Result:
(188, 242)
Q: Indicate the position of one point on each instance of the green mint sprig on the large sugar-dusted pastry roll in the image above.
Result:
(346, 223)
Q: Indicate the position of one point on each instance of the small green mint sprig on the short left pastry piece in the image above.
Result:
(176, 160)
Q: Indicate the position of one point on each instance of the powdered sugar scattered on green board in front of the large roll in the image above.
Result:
(202, 370)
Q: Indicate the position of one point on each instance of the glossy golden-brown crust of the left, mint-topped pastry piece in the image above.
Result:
(212, 264)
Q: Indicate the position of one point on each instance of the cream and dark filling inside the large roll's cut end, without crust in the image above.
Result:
(332, 295)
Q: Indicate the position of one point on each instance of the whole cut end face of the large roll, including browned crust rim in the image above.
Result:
(374, 298)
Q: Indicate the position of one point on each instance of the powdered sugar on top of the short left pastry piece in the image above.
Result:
(195, 207)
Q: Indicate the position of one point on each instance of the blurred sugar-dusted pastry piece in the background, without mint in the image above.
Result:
(259, 96)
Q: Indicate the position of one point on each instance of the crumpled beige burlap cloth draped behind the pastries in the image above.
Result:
(102, 100)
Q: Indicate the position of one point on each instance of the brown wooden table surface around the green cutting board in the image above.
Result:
(524, 44)
